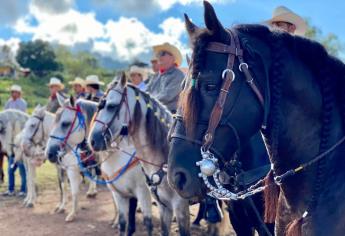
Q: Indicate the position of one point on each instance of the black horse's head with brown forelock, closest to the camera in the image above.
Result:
(243, 112)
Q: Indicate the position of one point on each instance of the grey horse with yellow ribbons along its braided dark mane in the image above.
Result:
(127, 108)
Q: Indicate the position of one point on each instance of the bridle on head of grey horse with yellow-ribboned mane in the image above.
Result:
(107, 125)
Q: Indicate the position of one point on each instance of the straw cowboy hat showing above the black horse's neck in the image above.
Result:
(284, 14)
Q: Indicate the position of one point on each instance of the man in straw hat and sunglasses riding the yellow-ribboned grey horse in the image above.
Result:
(166, 87)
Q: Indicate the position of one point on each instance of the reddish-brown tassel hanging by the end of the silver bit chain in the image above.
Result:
(271, 195)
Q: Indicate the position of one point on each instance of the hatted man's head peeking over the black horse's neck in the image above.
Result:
(287, 20)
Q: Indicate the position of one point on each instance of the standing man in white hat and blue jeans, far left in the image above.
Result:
(18, 103)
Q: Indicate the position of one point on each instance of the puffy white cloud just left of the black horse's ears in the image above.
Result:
(129, 38)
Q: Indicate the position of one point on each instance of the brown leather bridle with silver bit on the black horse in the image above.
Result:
(209, 163)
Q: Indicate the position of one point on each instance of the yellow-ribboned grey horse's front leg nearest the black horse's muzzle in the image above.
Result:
(182, 216)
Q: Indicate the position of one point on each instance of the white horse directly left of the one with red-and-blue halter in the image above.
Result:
(34, 138)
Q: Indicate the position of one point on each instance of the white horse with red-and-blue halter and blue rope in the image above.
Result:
(71, 129)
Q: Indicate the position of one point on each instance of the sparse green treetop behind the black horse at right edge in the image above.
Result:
(330, 41)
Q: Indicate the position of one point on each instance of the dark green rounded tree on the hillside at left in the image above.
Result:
(39, 56)
